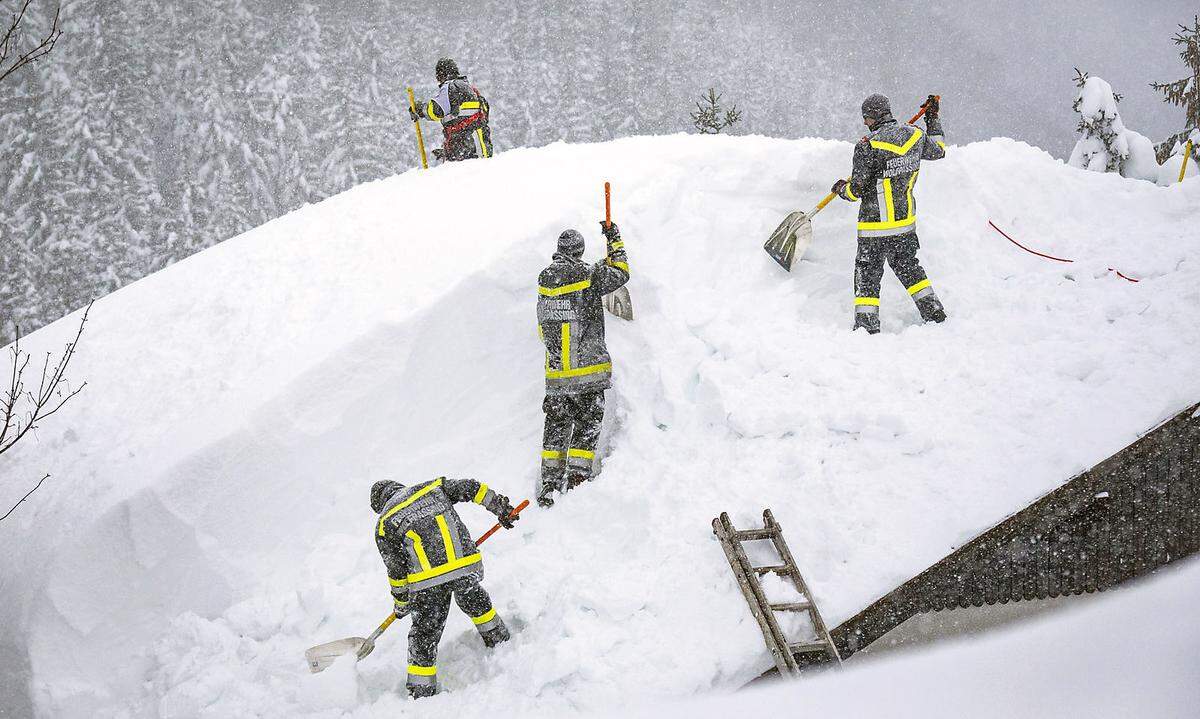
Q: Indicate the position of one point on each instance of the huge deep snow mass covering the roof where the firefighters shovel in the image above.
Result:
(208, 518)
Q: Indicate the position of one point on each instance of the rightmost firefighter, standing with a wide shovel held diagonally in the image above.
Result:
(886, 166)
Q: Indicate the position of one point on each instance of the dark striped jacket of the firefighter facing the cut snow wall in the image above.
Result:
(571, 320)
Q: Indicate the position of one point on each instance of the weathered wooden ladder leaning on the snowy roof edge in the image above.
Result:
(785, 652)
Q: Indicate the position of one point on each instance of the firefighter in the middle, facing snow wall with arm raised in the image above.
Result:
(571, 321)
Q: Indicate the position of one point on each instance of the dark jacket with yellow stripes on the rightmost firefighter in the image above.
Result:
(886, 166)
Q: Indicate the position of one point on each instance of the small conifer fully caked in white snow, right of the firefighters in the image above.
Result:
(1107, 145)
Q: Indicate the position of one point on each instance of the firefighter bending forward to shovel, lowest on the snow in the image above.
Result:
(430, 556)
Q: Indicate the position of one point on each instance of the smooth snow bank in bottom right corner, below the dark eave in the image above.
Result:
(1131, 652)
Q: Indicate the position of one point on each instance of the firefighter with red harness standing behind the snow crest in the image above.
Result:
(463, 112)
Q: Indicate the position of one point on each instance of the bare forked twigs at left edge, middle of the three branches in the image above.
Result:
(50, 397)
